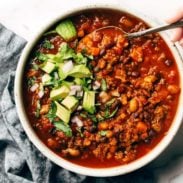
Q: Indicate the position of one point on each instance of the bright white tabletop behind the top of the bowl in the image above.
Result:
(25, 17)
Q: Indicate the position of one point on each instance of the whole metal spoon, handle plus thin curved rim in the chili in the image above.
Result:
(144, 32)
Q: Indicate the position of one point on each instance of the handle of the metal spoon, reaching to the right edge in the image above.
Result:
(155, 29)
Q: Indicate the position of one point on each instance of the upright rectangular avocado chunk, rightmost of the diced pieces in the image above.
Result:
(89, 101)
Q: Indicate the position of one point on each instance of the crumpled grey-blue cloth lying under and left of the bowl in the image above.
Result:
(21, 162)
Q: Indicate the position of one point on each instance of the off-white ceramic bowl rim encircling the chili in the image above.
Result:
(99, 172)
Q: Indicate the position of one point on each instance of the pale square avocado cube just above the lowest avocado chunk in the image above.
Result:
(70, 102)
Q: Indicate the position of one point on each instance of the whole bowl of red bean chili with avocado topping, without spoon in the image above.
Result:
(95, 102)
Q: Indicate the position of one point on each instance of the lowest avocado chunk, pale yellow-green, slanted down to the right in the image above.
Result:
(63, 113)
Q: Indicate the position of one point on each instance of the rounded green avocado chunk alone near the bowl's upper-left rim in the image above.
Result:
(67, 30)
